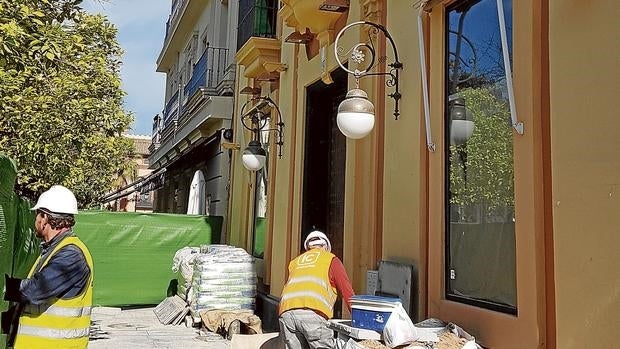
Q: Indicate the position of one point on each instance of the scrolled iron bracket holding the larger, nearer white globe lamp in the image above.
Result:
(356, 54)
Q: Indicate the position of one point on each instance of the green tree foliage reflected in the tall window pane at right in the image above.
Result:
(482, 169)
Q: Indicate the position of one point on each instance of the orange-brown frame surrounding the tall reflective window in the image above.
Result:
(528, 328)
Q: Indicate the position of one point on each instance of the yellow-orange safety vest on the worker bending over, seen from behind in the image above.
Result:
(308, 285)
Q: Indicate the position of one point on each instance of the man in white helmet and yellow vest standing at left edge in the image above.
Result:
(56, 298)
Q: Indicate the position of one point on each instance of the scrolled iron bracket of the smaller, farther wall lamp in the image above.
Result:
(255, 119)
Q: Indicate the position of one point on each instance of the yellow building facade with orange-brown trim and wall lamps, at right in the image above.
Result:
(389, 197)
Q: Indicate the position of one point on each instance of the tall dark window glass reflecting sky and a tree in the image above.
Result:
(480, 215)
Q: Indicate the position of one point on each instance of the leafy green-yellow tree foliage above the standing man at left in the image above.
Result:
(61, 102)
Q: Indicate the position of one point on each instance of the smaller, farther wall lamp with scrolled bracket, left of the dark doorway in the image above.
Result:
(257, 119)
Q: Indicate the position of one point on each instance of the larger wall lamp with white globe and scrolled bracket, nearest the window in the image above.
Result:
(356, 113)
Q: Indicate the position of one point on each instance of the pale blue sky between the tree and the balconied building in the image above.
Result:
(141, 28)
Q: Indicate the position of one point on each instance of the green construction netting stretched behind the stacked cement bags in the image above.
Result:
(133, 252)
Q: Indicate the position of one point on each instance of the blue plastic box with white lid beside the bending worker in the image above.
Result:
(372, 312)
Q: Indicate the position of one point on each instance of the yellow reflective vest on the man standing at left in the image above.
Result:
(60, 323)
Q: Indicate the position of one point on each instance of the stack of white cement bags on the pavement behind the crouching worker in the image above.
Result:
(224, 278)
